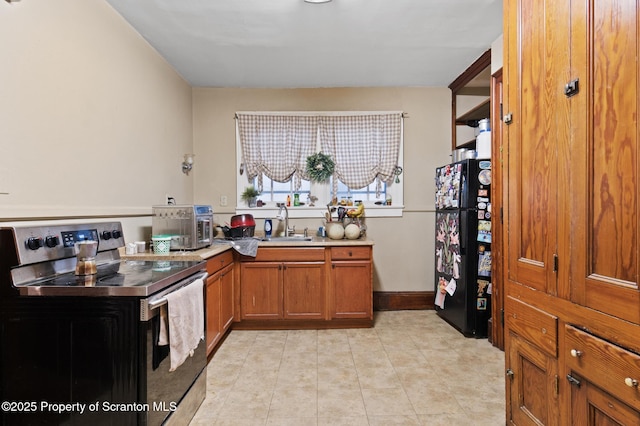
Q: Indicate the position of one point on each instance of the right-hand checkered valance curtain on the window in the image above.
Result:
(365, 148)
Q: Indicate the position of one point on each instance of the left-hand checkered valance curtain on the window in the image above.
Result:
(277, 145)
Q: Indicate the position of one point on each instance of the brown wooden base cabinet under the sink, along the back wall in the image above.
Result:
(287, 285)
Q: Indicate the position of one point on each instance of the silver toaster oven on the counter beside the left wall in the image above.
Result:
(190, 226)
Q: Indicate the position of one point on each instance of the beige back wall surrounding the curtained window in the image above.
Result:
(403, 252)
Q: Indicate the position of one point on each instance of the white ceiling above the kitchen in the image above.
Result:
(293, 44)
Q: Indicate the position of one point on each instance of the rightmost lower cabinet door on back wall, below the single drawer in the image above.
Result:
(352, 290)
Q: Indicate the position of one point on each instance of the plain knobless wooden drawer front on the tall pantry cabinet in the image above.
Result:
(538, 327)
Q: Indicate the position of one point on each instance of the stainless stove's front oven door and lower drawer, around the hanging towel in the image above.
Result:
(170, 395)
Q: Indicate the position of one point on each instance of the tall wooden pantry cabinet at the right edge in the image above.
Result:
(572, 220)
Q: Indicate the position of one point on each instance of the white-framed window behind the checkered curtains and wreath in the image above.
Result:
(374, 196)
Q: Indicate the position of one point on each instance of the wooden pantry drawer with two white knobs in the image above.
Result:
(604, 364)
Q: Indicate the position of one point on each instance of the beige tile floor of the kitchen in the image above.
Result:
(411, 368)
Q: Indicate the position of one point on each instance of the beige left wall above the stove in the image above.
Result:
(93, 121)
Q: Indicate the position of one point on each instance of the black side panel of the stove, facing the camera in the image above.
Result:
(68, 350)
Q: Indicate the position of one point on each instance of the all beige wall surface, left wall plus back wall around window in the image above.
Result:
(94, 123)
